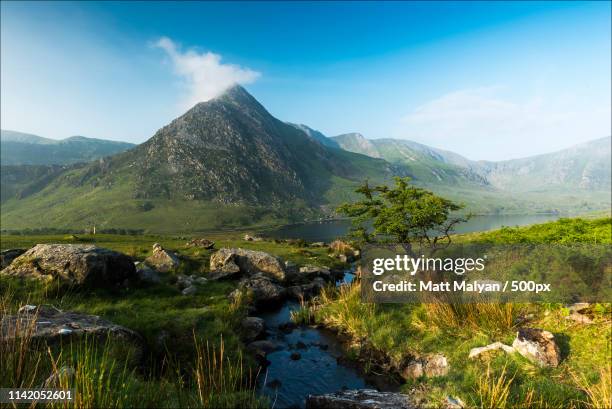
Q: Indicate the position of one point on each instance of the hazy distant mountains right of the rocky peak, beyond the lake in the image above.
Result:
(576, 179)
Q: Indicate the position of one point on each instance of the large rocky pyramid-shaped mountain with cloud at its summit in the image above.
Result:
(225, 162)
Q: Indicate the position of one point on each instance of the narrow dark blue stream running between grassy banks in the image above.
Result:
(319, 370)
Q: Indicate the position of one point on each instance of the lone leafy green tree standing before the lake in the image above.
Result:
(404, 214)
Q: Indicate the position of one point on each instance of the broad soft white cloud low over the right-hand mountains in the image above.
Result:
(482, 123)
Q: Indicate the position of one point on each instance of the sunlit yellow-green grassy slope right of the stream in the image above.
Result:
(397, 330)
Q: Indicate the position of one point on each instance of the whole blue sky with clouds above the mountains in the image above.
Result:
(487, 80)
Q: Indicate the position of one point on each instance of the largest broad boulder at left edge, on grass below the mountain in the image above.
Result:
(75, 264)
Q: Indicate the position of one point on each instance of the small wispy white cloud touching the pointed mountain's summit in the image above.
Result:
(204, 74)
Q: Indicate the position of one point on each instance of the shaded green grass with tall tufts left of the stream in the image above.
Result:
(203, 365)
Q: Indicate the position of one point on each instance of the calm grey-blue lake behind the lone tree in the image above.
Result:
(329, 230)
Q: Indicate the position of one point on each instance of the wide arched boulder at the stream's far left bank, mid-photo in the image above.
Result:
(248, 261)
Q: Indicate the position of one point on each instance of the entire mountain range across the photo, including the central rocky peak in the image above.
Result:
(228, 162)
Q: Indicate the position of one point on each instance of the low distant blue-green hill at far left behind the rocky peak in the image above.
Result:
(26, 149)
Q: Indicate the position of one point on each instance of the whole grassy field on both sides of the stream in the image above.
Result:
(187, 338)
